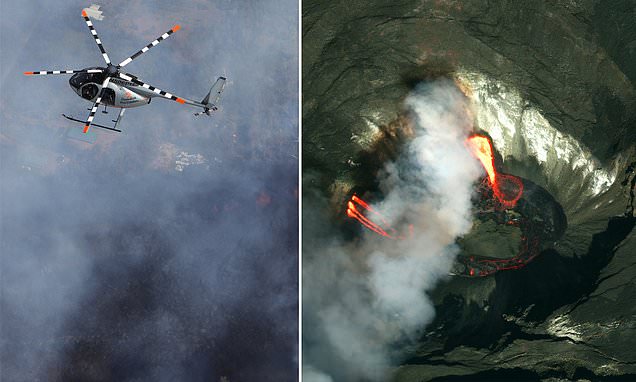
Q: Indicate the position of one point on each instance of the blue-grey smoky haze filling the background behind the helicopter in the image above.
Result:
(114, 264)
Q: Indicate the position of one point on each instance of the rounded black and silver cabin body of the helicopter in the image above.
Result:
(118, 93)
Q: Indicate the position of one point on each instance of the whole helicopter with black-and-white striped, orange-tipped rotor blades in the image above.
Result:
(110, 86)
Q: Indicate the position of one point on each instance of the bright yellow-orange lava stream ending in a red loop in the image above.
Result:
(506, 188)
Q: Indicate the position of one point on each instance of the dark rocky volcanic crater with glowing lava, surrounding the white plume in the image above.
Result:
(543, 283)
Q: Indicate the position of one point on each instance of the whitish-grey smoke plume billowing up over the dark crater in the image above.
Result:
(362, 298)
